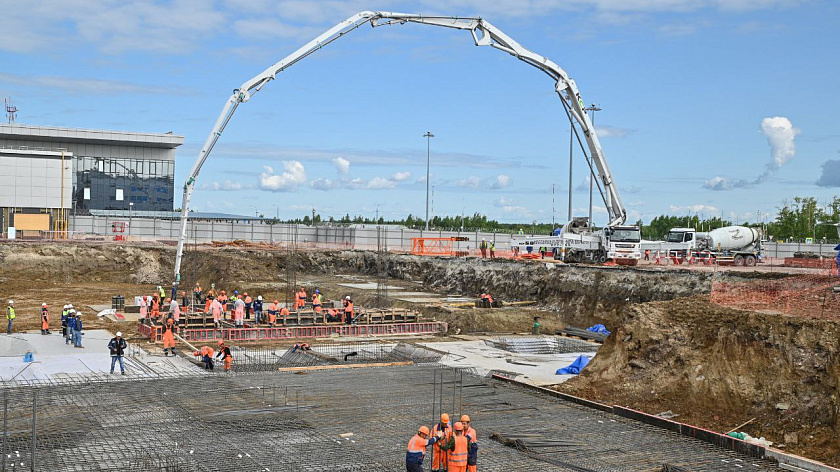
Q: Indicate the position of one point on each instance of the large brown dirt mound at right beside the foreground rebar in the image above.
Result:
(718, 367)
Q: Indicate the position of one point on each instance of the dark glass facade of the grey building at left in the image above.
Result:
(114, 183)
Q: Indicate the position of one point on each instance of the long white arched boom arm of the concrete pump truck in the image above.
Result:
(483, 33)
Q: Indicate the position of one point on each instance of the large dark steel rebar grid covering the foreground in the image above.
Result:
(284, 421)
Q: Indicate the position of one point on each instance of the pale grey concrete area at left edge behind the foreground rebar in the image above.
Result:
(55, 361)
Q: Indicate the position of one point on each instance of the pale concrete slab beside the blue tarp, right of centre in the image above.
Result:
(484, 358)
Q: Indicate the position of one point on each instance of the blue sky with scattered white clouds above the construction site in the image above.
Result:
(708, 107)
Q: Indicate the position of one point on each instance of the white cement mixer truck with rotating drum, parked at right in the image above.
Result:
(735, 245)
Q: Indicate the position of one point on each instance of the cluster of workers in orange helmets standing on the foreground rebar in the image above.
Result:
(454, 446)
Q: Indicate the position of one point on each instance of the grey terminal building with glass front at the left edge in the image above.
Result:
(48, 173)
